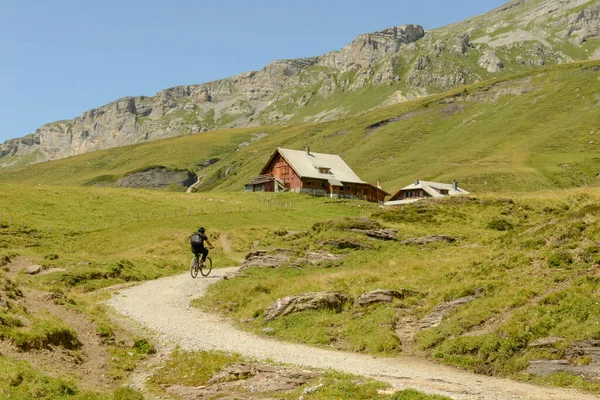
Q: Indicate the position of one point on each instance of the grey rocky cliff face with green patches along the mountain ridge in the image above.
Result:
(380, 68)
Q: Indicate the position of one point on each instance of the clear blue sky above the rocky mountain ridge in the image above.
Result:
(59, 58)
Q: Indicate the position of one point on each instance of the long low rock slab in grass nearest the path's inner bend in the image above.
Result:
(306, 301)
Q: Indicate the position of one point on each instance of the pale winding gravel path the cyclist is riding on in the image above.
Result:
(163, 306)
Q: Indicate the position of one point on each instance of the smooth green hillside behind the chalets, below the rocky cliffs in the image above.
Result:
(525, 132)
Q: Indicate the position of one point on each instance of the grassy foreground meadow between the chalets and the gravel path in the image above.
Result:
(531, 260)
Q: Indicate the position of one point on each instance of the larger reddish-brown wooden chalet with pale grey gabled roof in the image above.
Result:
(317, 174)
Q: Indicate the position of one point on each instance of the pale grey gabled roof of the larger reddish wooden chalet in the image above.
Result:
(308, 164)
